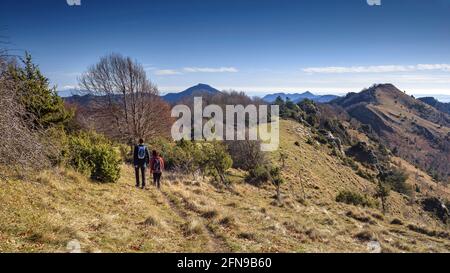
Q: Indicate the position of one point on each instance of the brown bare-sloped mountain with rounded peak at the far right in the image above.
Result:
(418, 132)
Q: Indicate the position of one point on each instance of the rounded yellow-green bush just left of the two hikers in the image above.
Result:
(95, 156)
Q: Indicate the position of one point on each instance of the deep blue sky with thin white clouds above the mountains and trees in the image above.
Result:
(257, 46)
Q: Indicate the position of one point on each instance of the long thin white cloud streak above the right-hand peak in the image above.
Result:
(378, 69)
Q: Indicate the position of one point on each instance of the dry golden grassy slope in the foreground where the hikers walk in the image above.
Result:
(45, 211)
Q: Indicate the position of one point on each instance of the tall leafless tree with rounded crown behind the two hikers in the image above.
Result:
(127, 103)
